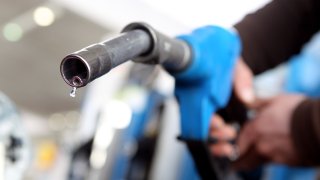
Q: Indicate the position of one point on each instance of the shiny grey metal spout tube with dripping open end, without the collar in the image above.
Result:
(82, 67)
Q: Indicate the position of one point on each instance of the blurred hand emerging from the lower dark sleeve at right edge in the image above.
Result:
(267, 137)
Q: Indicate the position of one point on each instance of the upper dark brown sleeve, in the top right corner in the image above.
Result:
(277, 31)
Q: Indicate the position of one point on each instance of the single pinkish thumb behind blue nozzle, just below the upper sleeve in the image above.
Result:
(243, 83)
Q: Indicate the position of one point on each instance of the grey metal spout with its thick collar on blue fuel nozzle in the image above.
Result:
(138, 42)
